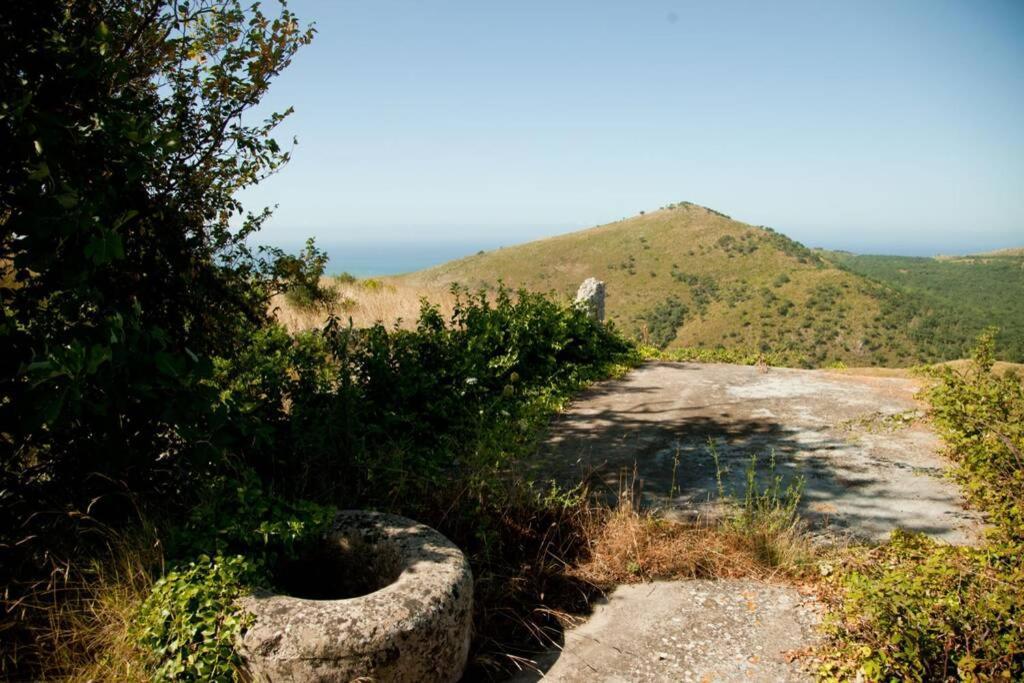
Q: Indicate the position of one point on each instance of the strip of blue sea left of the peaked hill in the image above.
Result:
(367, 260)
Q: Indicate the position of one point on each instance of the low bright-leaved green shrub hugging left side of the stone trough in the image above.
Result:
(238, 535)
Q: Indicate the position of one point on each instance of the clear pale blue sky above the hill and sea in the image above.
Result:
(873, 126)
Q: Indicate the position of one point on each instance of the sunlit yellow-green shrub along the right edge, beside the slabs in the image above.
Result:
(917, 610)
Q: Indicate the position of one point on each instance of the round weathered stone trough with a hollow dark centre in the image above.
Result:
(383, 599)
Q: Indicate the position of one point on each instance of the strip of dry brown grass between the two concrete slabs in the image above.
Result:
(566, 563)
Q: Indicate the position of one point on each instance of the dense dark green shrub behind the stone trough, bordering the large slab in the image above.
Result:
(429, 423)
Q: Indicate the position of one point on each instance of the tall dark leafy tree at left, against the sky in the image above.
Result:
(127, 134)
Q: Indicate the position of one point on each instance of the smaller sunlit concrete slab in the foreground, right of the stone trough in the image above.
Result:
(700, 631)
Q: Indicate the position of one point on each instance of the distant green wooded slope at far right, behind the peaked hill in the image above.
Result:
(978, 291)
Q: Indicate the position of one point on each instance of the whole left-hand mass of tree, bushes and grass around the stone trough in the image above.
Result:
(167, 447)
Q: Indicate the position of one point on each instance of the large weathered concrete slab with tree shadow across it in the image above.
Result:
(870, 463)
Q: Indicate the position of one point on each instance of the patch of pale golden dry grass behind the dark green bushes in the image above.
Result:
(366, 303)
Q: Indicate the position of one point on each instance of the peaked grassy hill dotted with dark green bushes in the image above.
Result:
(689, 276)
